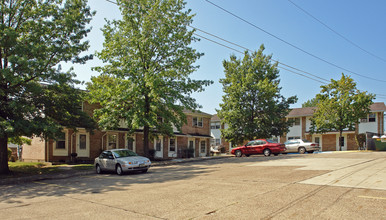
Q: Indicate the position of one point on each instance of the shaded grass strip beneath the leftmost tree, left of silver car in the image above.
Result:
(35, 168)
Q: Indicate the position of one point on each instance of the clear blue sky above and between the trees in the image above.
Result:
(278, 24)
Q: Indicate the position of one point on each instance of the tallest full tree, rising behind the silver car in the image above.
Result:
(148, 63)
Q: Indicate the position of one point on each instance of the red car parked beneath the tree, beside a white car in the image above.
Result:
(259, 146)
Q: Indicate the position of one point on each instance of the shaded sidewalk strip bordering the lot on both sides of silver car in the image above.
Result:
(68, 172)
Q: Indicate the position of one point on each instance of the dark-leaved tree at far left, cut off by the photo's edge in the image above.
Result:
(35, 36)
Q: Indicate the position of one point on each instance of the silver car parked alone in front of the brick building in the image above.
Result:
(120, 161)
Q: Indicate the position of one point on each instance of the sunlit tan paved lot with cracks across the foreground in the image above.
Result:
(350, 185)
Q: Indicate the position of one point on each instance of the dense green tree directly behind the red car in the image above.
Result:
(252, 104)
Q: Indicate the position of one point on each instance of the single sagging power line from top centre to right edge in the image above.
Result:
(292, 45)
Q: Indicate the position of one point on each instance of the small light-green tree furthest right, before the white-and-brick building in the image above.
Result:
(340, 107)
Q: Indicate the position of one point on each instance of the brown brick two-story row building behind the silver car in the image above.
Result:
(195, 135)
